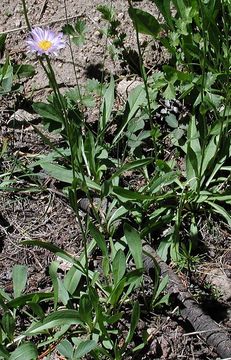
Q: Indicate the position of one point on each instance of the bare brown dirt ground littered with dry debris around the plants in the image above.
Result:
(46, 214)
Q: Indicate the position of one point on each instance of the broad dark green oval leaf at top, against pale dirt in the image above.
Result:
(144, 22)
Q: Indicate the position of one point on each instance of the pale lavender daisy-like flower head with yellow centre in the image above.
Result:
(45, 41)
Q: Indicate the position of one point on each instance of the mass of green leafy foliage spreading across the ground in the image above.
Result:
(88, 304)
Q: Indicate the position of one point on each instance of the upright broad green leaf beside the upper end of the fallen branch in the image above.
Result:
(134, 244)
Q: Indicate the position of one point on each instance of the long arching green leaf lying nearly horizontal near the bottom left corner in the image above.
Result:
(57, 318)
